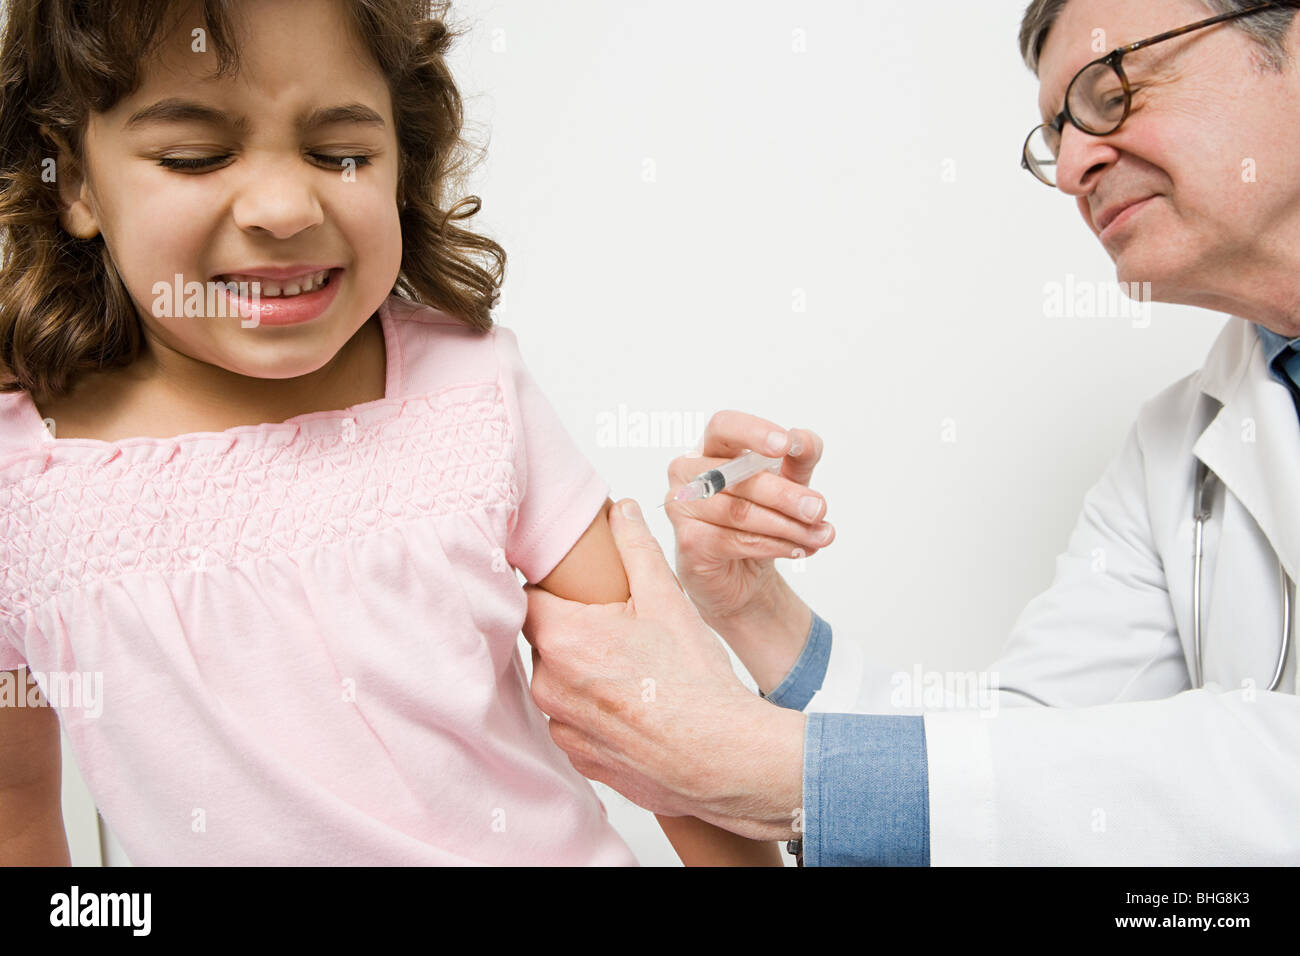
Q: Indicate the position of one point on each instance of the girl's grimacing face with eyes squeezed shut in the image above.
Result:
(272, 188)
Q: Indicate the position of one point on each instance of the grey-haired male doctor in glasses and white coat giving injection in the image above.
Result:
(1136, 721)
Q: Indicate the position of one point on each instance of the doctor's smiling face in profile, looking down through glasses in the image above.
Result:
(1211, 144)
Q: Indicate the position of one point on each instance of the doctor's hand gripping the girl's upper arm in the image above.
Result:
(643, 698)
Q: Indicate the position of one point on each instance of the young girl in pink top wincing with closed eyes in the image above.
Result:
(281, 539)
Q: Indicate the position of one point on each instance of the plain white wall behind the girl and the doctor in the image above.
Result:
(864, 157)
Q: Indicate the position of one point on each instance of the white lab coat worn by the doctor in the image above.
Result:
(1129, 765)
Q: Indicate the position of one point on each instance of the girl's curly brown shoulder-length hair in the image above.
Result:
(62, 59)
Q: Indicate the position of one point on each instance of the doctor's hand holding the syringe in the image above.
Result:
(727, 544)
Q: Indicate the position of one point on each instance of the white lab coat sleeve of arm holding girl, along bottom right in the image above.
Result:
(1201, 778)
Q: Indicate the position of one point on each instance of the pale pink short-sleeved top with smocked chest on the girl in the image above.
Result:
(306, 633)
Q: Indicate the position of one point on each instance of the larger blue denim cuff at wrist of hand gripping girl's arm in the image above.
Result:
(866, 791)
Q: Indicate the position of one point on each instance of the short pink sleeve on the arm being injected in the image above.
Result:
(560, 490)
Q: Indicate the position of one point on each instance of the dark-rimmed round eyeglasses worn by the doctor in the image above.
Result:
(1099, 98)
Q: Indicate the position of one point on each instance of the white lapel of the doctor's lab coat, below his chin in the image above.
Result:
(1254, 443)
